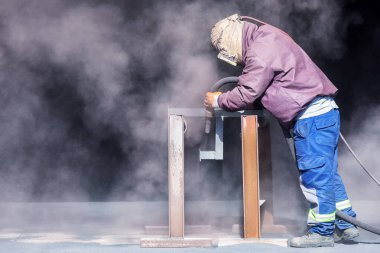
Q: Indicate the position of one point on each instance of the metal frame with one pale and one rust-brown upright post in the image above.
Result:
(251, 200)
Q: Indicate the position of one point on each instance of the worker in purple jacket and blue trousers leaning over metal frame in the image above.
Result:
(278, 73)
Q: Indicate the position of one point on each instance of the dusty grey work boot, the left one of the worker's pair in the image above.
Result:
(311, 240)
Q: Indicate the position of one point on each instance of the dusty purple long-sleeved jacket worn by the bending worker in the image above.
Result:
(278, 72)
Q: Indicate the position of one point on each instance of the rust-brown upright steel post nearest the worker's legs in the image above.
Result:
(251, 197)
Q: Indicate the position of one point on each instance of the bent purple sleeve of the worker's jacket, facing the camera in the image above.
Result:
(254, 80)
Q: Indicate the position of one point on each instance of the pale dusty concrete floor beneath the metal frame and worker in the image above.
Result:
(116, 227)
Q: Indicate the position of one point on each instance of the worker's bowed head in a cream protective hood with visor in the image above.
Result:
(226, 37)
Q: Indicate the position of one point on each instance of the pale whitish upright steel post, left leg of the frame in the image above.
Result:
(176, 176)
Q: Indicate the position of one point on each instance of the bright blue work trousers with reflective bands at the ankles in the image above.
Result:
(316, 146)
